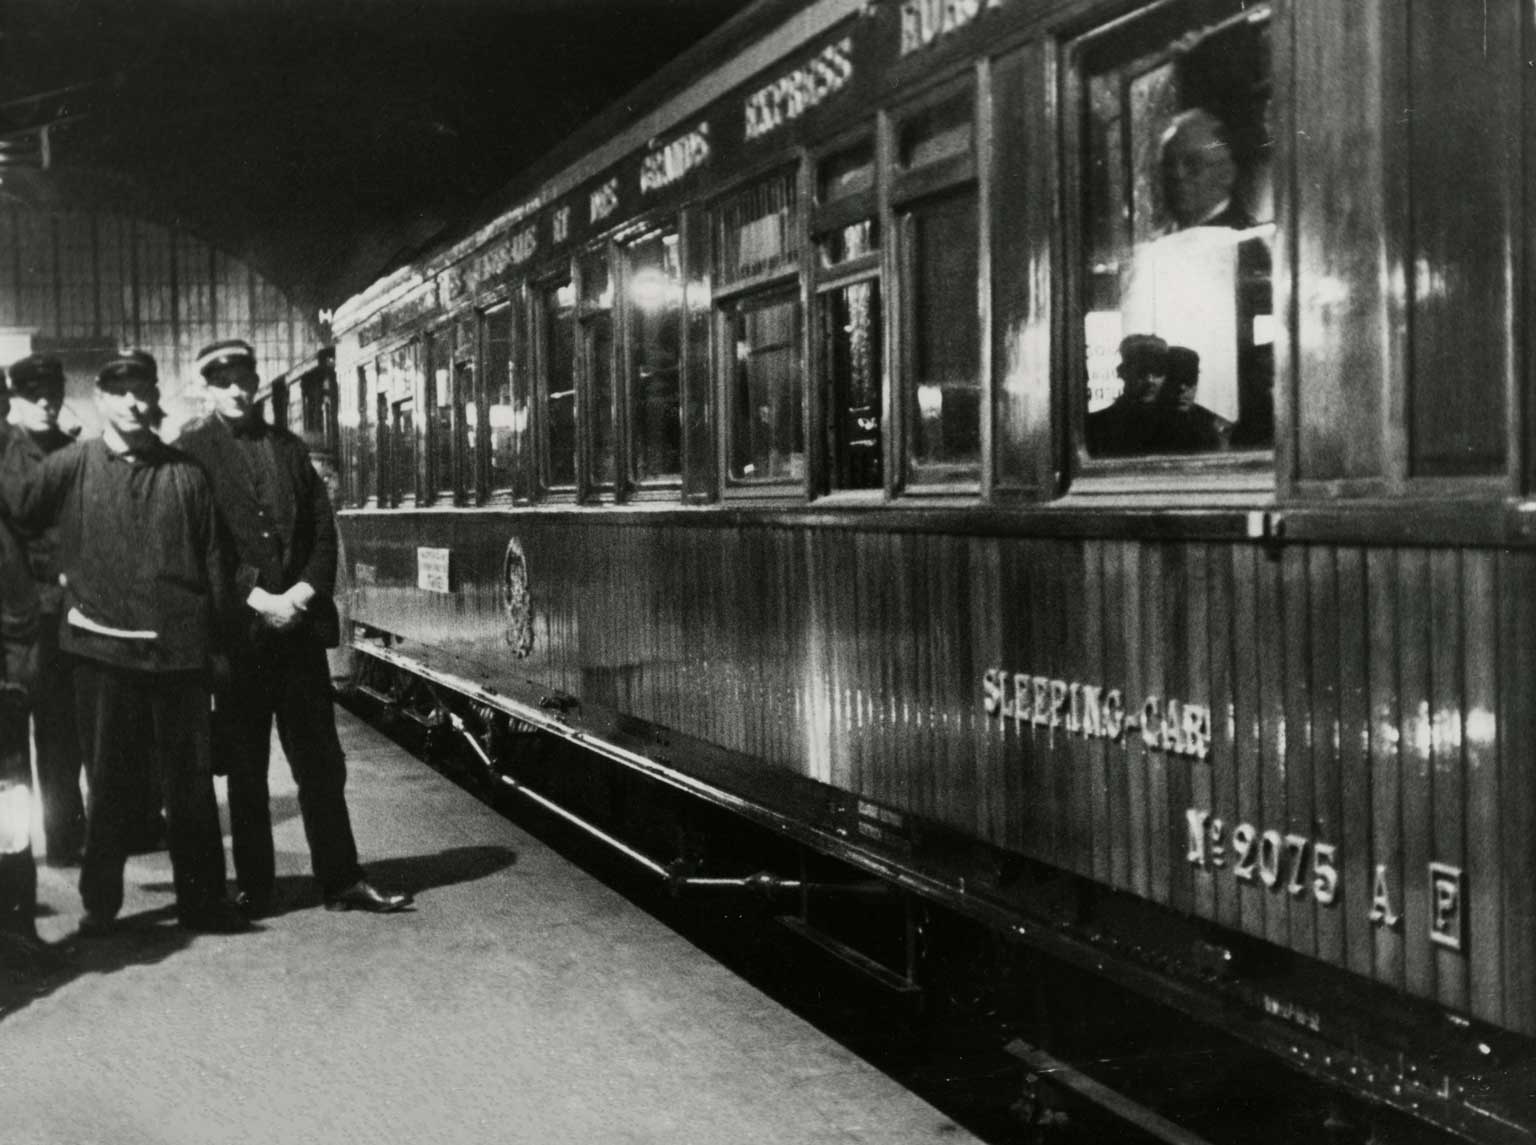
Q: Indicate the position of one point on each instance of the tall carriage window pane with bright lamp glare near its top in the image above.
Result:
(655, 288)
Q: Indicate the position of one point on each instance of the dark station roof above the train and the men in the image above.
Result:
(320, 141)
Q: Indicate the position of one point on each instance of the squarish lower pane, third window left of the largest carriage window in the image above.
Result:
(767, 431)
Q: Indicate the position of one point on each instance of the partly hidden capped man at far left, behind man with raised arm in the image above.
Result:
(38, 396)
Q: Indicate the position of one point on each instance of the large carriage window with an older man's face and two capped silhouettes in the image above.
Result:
(1177, 233)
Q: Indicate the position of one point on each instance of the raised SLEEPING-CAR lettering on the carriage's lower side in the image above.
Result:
(1096, 712)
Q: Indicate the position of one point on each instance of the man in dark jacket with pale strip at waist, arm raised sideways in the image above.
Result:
(144, 585)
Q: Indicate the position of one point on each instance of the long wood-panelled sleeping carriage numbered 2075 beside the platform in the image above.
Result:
(1071, 459)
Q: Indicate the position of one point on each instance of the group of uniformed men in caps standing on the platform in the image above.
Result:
(161, 608)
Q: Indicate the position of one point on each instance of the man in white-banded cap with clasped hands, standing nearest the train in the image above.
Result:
(279, 522)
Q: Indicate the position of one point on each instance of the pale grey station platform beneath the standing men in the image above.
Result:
(521, 1001)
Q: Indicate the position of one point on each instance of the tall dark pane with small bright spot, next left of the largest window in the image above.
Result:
(944, 402)
